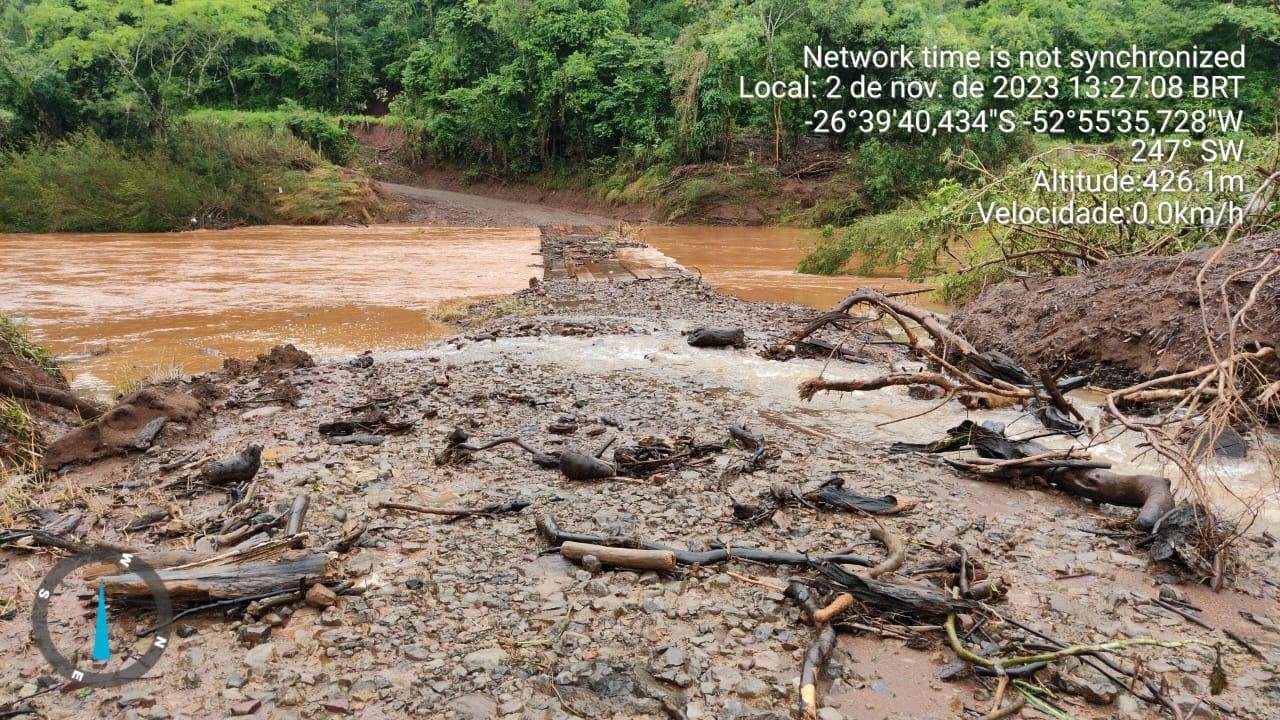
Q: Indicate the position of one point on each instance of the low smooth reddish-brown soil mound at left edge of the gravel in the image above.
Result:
(126, 427)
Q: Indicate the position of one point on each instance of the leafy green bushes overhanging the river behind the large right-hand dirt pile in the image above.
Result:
(941, 235)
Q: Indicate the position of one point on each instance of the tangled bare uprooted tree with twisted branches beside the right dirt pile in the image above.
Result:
(1241, 389)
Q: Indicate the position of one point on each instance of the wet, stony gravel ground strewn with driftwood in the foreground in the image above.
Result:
(474, 619)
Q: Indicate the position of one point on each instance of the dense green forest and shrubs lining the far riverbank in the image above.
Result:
(606, 94)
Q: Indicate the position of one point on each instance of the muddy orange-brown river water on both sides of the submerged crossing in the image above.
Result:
(120, 307)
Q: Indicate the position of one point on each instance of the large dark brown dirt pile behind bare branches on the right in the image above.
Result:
(1128, 318)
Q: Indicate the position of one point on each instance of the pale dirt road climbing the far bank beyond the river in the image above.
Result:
(449, 208)
